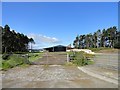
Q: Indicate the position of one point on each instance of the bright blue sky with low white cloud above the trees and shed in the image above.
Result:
(58, 23)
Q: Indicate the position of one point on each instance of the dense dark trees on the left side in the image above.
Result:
(14, 41)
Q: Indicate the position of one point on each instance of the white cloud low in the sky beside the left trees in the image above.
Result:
(42, 41)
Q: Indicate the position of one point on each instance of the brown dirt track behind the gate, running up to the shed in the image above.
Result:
(52, 58)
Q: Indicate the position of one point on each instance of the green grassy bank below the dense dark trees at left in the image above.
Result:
(14, 60)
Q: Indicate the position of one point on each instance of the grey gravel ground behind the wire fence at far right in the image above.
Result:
(107, 61)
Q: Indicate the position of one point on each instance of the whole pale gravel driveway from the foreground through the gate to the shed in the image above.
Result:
(51, 76)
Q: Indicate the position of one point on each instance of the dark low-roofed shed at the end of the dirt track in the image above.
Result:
(58, 48)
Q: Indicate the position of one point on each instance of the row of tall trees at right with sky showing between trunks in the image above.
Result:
(101, 38)
